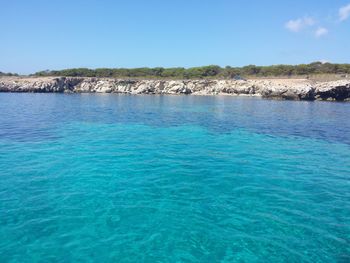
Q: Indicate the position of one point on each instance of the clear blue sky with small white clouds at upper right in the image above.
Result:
(38, 35)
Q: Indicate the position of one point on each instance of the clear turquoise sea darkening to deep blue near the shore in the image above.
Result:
(112, 178)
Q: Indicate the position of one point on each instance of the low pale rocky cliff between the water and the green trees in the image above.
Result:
(290, 89)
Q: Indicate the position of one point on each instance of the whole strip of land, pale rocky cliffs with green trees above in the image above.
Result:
(315, 81)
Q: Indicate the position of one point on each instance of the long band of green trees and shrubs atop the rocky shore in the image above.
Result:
(212, 71)
